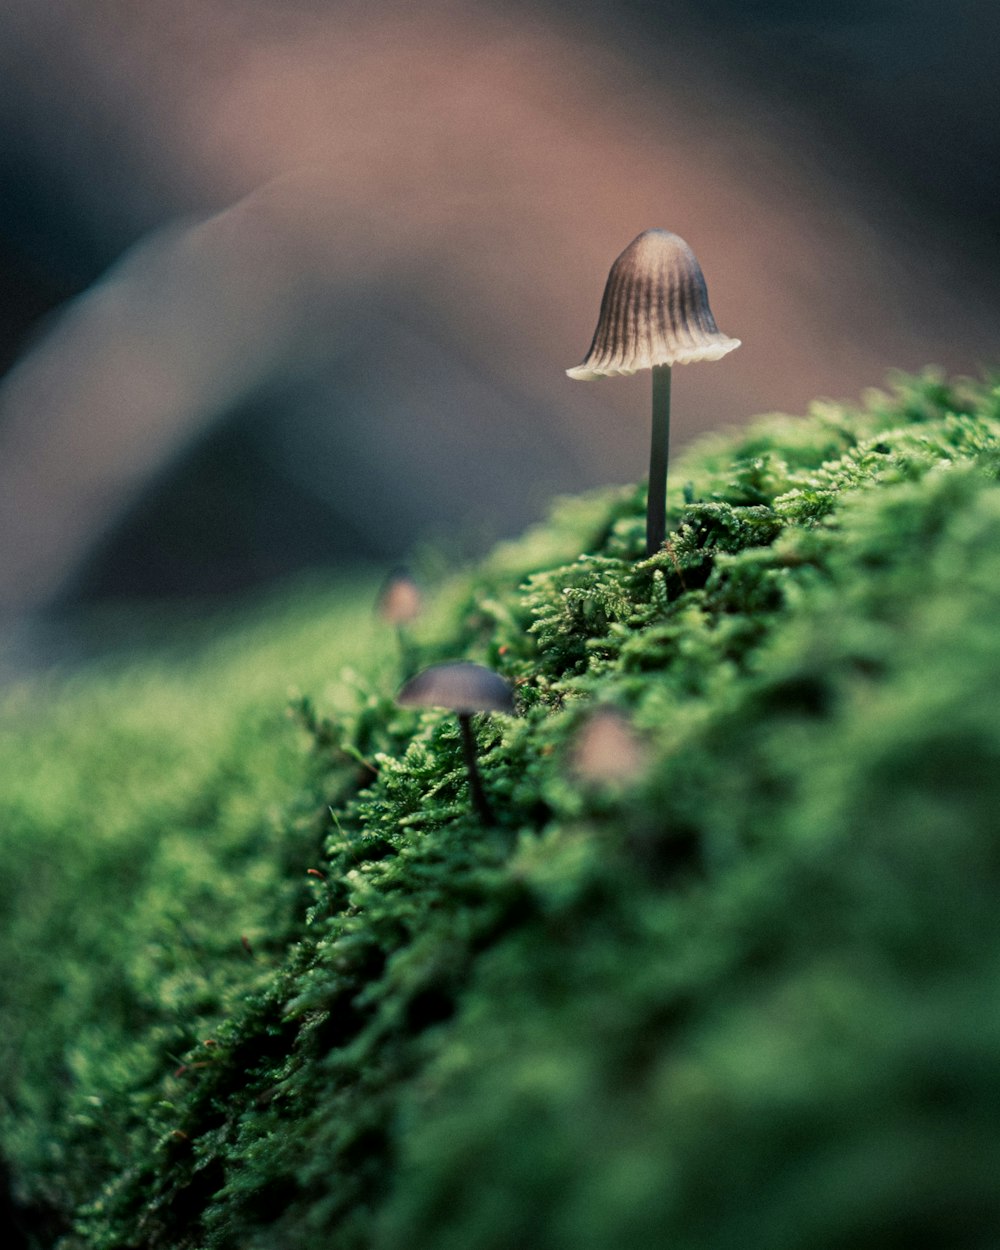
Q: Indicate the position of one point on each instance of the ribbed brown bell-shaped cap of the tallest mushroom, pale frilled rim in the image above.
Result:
(656, 312)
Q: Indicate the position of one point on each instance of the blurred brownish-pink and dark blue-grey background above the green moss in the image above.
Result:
(293, 284)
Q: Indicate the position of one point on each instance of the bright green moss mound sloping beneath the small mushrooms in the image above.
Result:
(271, 984)
